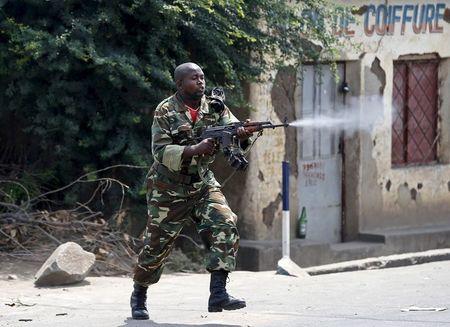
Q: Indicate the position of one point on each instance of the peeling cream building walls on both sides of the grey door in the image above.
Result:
(376, 196)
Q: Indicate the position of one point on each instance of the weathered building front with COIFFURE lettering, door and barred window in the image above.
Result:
(381, 188)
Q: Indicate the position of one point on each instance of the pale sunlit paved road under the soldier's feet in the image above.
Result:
(360, 298)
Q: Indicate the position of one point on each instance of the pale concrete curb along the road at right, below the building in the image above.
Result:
(391, 261)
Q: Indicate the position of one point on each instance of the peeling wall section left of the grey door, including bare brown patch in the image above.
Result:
(260, 205)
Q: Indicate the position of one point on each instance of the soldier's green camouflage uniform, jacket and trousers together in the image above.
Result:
(176, 193)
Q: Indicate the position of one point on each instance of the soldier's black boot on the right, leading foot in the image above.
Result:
(219, 299)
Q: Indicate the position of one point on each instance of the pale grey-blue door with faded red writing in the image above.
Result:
(319, 156)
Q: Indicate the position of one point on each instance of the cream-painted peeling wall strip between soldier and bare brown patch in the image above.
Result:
(261, 197)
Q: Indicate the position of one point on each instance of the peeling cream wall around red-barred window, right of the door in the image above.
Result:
(409, 196)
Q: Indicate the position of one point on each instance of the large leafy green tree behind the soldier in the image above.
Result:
(82, 77)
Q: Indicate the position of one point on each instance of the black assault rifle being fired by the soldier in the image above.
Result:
(227, 139)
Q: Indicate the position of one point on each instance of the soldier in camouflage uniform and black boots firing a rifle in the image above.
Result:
(181, 187)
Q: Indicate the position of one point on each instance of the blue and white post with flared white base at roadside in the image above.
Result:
(285, 265)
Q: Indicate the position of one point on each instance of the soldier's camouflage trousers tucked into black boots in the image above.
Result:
(170, 207)
